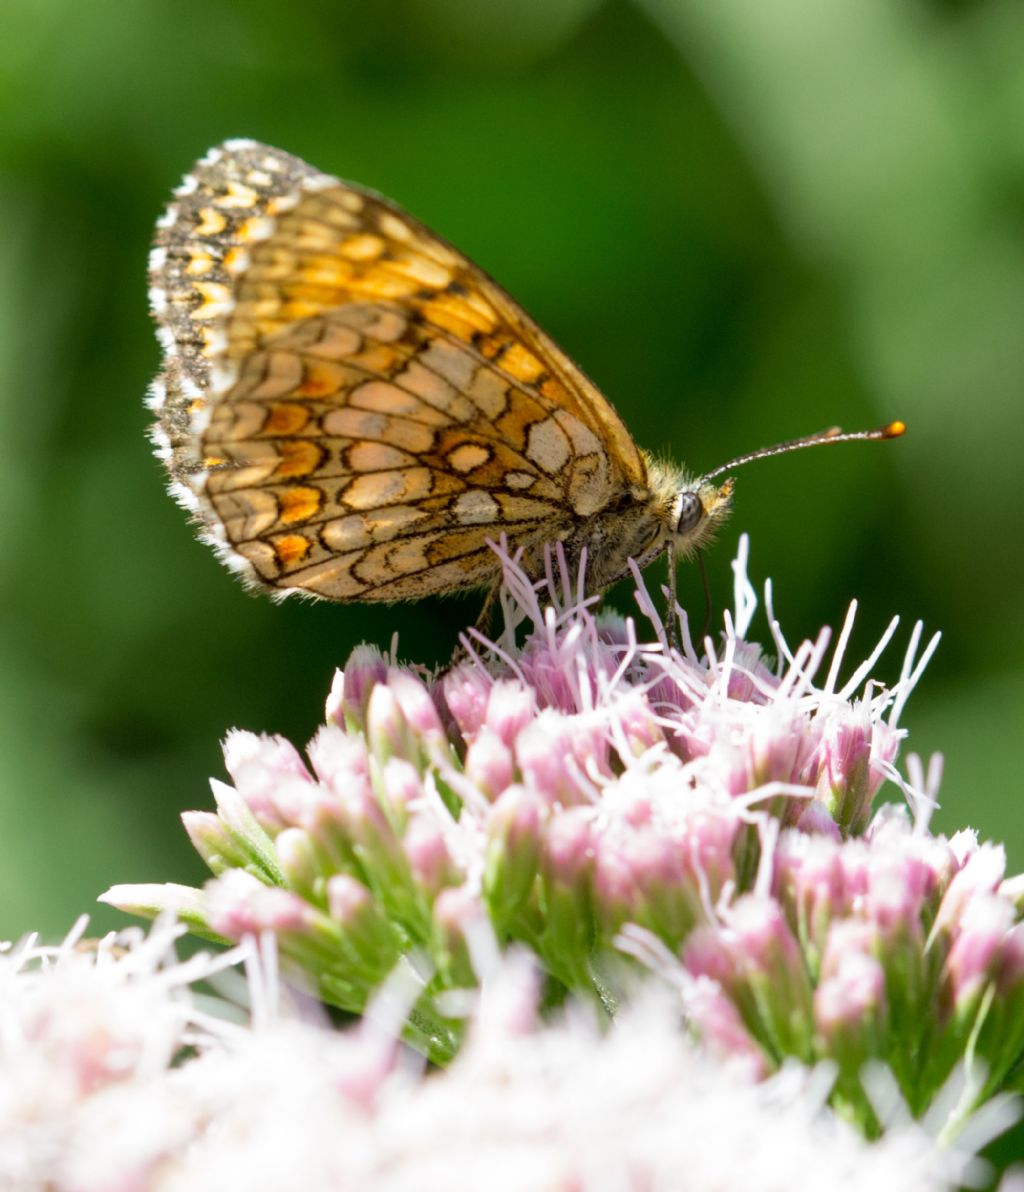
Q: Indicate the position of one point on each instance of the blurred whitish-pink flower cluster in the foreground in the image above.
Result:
(116, 1075)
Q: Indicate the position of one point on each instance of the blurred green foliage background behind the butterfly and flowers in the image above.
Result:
(747, 221)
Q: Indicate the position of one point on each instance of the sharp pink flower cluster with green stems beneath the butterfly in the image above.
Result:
(604, 800)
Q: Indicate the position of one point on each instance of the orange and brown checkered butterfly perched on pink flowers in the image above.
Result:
(352, 409)
